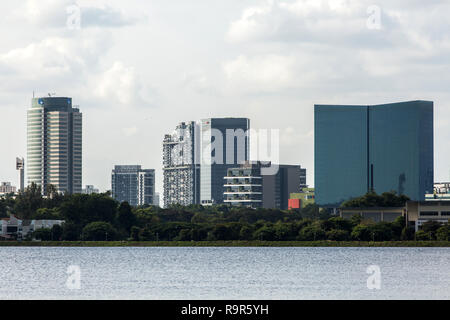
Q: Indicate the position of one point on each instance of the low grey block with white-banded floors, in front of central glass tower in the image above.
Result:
(248, 186)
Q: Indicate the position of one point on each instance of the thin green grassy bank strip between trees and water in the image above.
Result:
(231, 243)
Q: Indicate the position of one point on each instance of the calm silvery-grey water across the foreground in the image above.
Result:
(225, 273)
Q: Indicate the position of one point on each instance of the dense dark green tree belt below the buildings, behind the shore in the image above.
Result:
(98, 217)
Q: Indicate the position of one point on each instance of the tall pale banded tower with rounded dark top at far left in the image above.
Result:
(54, 144)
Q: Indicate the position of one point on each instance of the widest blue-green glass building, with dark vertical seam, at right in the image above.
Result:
(382, 148)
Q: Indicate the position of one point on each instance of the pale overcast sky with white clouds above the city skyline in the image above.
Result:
(138, 68)
